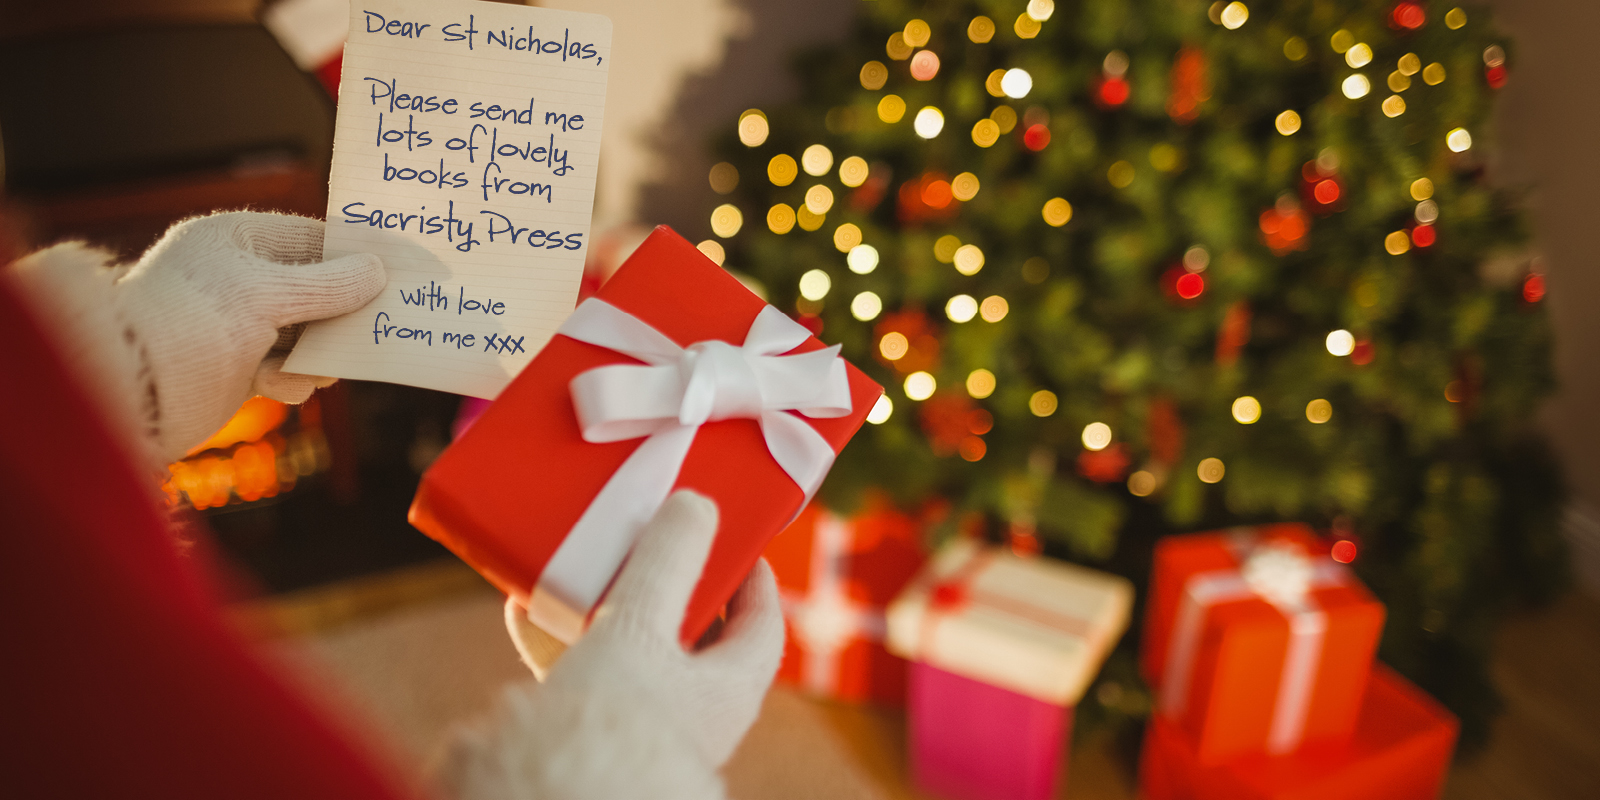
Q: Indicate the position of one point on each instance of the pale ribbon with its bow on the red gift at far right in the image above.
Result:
(1284, 577)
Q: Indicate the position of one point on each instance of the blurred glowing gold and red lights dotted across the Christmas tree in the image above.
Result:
(1284, 226)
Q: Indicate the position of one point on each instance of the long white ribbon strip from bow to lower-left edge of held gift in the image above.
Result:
(596, 548)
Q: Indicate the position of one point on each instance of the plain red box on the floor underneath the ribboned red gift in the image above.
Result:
(1401, 751)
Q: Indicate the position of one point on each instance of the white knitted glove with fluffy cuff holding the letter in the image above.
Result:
(193, 330)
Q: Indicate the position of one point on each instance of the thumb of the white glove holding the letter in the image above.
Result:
(316, 292)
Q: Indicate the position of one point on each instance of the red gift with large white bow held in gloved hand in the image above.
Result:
(524, 476)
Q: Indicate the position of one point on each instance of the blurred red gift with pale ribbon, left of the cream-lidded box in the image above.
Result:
(838, 578)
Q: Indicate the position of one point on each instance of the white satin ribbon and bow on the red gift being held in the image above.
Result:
(668, 399)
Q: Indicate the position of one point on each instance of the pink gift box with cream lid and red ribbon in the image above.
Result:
(1002, 650)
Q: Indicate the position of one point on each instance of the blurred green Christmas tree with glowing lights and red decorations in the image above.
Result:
(1145, 266)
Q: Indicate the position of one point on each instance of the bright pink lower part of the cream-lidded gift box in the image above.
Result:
(977, 742)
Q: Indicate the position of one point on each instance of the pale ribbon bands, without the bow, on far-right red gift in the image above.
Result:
(1308, 628)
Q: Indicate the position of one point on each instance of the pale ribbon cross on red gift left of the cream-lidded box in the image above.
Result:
(826, 618)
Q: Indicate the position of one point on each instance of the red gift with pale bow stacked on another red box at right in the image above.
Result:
(1244, 670)
